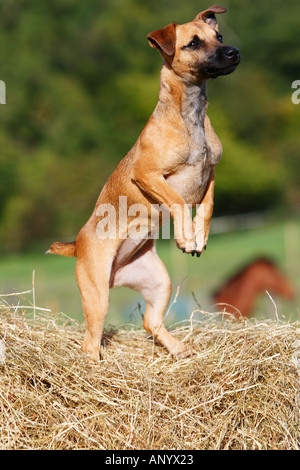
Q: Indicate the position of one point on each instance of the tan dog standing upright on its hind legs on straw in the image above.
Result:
(171, 164)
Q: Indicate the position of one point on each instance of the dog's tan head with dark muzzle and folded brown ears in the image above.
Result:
(195, 50)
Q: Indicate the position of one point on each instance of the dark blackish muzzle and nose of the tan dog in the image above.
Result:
(224, 61)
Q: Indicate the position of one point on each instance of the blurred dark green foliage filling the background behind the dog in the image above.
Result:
(82, 81)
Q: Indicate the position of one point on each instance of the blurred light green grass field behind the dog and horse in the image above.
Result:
(55, 287)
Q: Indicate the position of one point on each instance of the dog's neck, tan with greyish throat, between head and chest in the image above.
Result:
(189, 100)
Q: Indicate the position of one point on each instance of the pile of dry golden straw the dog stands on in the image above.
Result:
(240, 390)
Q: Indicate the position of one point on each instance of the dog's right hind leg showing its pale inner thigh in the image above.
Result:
(146, 273)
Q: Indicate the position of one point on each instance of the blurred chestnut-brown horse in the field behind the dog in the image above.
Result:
(237, 296)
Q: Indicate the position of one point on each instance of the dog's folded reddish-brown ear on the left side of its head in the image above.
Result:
(164, 40)
